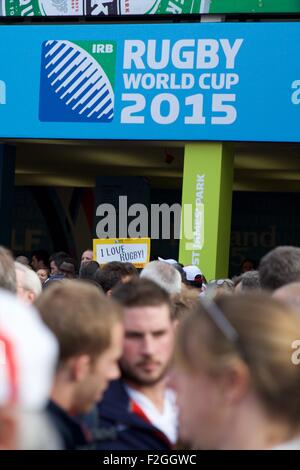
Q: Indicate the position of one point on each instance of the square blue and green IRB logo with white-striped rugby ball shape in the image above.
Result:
(77, 81)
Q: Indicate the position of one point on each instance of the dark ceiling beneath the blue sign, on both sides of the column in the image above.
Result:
(258, 166)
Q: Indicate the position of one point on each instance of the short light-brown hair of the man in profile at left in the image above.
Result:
(80, 316)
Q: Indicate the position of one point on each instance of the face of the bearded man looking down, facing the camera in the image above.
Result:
(148, 344)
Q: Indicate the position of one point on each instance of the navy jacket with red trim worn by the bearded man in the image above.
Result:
(118, 424)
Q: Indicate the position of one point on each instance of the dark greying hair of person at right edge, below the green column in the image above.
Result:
(279, 267)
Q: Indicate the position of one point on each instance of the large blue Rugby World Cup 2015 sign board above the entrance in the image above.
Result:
(215, 81)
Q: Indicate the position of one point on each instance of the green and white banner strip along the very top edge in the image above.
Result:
(17, 8)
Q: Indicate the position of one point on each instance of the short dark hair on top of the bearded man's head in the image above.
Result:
(140, 293)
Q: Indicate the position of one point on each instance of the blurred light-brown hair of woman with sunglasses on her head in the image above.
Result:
(253, 328)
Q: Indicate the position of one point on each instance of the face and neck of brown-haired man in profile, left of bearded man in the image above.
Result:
(100, 372)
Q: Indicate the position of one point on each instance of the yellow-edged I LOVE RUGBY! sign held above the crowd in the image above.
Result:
(126, 250)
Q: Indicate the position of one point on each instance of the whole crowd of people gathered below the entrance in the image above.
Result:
(114, 358)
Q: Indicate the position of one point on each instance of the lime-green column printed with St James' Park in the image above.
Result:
(206, 207)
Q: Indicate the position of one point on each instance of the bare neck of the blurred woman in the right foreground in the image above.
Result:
(251, 428)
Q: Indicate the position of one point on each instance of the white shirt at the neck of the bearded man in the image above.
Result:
(167, 421)
